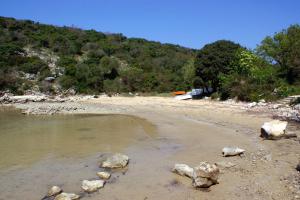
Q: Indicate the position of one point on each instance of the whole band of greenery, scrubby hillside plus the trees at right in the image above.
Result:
(92, 62)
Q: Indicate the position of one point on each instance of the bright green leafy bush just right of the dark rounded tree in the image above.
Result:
(250, 78)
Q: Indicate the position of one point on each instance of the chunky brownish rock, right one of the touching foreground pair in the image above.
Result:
(205, 175)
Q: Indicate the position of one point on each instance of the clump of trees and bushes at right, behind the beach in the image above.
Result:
(269, 72)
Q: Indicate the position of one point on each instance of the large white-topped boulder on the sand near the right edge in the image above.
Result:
(273, 129)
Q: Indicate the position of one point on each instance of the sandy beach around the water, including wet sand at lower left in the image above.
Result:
(187, 132)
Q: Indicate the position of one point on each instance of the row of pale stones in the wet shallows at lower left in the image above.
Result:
(89, 186)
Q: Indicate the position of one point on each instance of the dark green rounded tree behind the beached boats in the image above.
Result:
(215, 58)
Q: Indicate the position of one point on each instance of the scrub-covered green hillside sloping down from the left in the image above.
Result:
(91, 61)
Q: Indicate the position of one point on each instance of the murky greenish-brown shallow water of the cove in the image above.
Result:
(27, 139)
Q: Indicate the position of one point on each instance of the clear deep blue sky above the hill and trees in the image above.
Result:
(190, 23)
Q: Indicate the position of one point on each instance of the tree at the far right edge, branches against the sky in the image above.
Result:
(283, 49)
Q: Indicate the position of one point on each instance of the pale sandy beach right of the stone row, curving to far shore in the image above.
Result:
(190, 132)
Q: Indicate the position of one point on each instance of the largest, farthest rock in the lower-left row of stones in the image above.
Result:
(116, 161)
